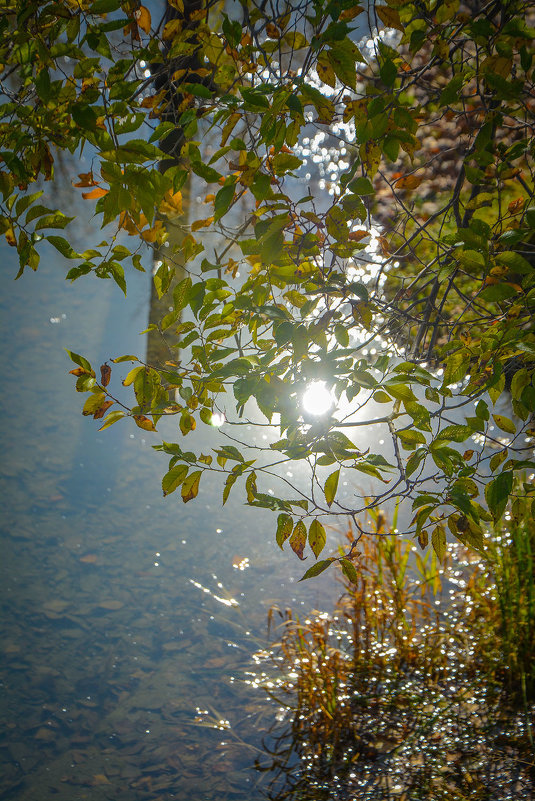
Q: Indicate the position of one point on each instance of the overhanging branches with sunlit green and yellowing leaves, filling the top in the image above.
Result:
(428, 315)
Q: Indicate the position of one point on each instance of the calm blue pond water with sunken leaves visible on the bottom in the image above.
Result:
(125, 616)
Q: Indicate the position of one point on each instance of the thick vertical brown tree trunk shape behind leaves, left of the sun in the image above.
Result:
(161, 346)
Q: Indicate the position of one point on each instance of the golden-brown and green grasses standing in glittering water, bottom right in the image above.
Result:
(418, 686)
